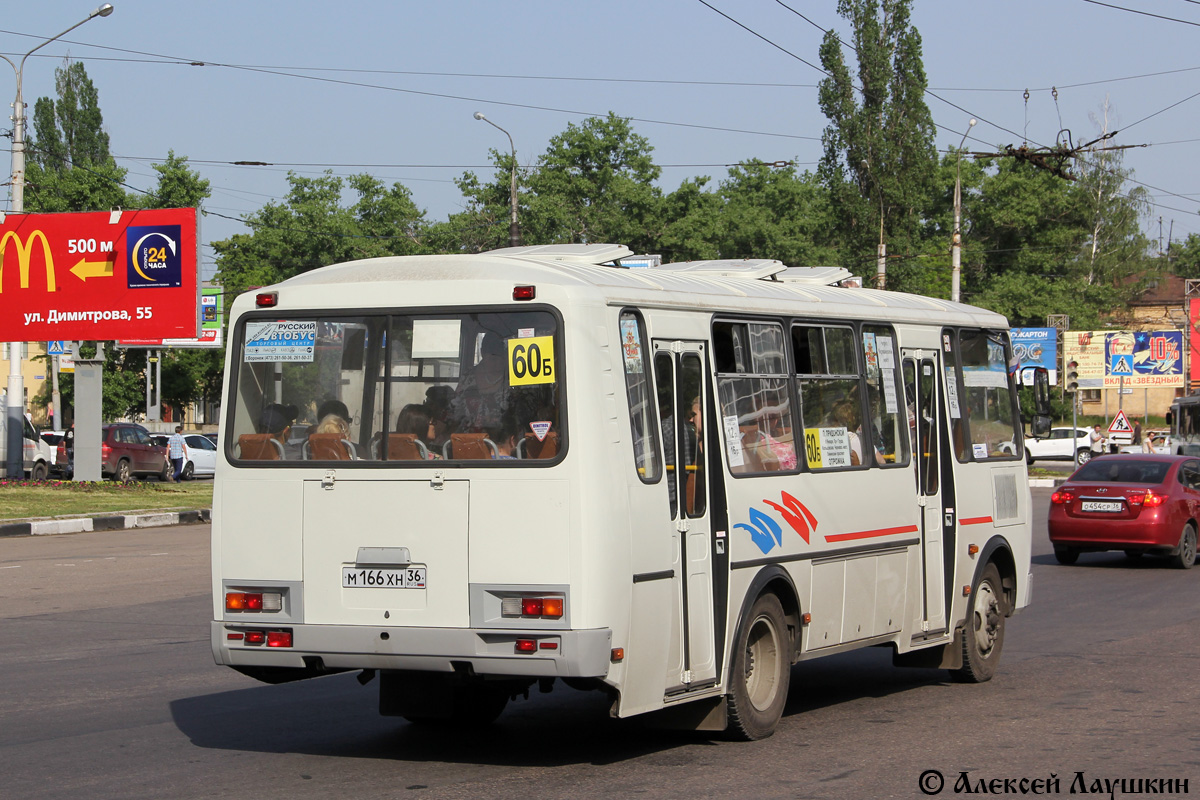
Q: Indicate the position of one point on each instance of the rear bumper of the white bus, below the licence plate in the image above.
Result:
(555, 654)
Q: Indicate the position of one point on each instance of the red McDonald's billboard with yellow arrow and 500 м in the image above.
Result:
(99, 275)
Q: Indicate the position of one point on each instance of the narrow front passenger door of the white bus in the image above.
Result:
(921, 377)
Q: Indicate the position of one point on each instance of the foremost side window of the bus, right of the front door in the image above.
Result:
(987, 400)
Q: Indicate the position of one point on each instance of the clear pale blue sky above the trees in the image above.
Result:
(391, 88)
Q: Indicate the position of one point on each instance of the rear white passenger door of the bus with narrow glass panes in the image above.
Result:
(681, 382)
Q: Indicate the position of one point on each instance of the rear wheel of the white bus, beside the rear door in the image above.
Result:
(761, 671)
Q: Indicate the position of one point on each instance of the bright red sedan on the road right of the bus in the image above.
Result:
(1133, 503)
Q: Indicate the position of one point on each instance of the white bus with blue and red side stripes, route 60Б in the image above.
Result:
(472, 474)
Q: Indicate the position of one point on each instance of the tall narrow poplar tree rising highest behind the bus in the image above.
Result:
(879, 160)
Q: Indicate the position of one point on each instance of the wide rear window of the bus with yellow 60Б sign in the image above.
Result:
(401, 387)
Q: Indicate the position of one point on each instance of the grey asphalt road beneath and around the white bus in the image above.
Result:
(111, 693)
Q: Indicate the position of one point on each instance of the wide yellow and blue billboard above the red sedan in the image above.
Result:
(1139, 359)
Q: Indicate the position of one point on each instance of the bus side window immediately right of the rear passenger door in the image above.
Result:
(755, 405)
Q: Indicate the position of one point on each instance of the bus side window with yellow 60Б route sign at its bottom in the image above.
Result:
(829, 384)
